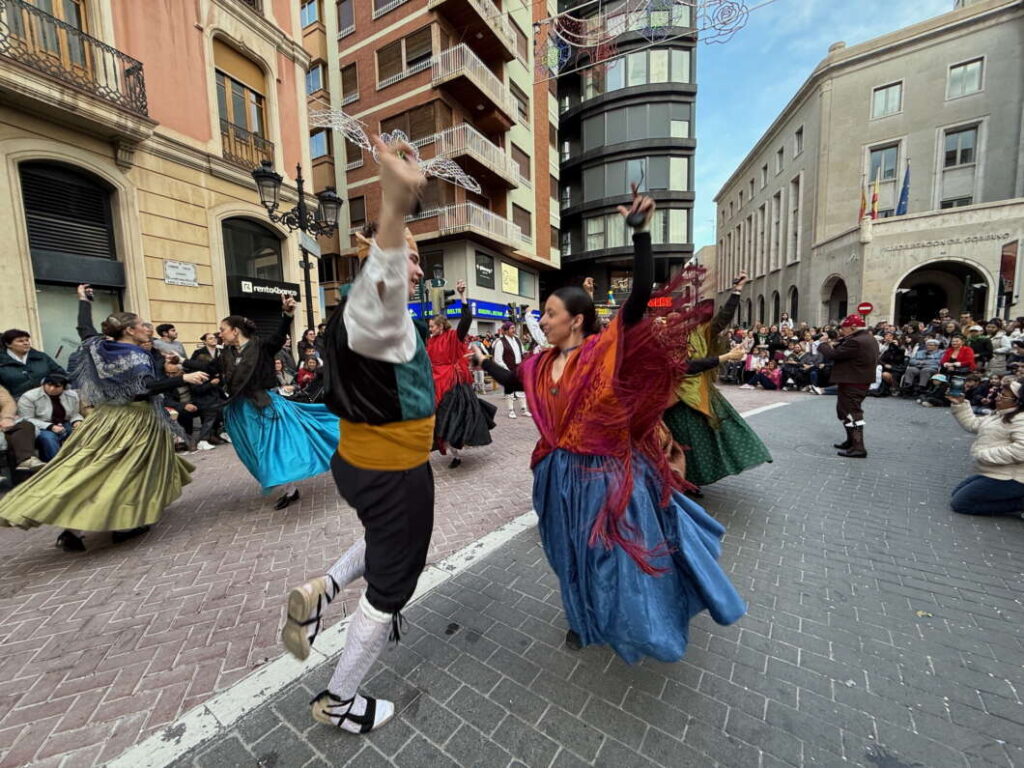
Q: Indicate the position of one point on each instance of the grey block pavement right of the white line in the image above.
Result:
(883, 632)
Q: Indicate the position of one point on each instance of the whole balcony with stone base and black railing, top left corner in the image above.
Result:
(55, 62)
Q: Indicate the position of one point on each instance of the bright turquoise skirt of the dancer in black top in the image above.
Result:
(284, 443)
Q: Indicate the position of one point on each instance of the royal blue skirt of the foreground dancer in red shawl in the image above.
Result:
(609, 600)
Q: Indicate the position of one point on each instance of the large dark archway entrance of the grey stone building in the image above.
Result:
(942, 285)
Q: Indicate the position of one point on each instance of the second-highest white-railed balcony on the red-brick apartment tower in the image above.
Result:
(476, 87)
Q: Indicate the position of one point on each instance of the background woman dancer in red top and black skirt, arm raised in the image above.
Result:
(463, 419)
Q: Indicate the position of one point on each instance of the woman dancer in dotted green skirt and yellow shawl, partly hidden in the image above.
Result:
(720, 443)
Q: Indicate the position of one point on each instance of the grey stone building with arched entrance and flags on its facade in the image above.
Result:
(944, 98)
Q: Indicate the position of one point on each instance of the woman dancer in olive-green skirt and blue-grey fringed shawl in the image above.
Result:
(118, 471)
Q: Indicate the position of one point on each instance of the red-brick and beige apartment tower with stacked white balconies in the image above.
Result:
(457, 77)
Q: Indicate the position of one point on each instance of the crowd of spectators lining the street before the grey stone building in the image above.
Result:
(923, 362)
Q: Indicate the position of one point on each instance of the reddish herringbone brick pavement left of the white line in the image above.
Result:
(99, 651)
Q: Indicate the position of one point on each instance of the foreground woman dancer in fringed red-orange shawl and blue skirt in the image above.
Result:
(636, 560)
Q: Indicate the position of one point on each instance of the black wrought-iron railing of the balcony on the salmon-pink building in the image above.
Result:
(37, 40)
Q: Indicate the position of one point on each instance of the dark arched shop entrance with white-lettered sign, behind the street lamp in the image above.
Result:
(255, 272)
